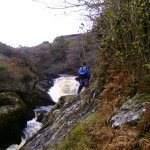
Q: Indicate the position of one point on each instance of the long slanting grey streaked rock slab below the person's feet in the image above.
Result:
(65, 114)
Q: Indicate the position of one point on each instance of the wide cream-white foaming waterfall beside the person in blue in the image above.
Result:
(63, 86)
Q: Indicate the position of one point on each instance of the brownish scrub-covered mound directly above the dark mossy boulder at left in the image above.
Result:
(12, 76)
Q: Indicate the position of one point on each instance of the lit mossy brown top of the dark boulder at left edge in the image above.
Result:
(12, 108)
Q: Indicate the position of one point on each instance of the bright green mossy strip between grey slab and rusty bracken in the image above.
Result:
(77, 139)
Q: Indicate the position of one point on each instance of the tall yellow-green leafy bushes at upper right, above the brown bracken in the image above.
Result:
(125, 35)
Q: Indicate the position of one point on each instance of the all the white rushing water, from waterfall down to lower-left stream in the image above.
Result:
(65, 85)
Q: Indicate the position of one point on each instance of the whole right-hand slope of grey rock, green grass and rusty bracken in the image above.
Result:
(95, 120)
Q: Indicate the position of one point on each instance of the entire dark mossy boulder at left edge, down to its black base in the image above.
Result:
(12, 119)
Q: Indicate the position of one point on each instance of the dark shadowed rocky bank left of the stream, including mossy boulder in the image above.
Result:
(16, 108)
